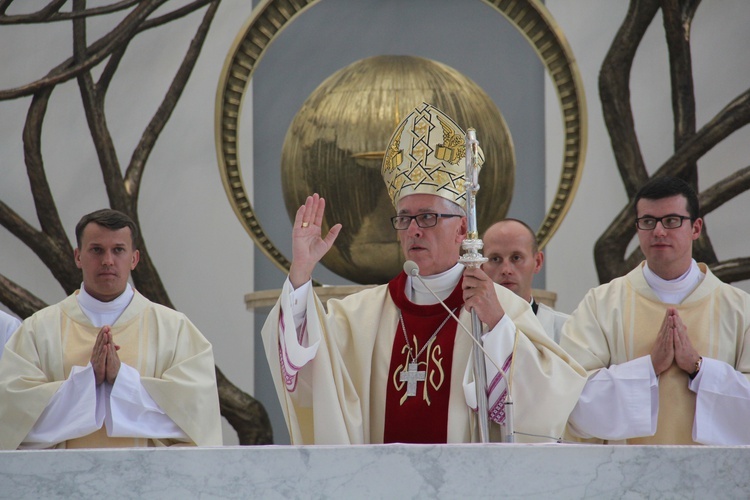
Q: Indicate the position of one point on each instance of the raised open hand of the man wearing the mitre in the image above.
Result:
(308, 247)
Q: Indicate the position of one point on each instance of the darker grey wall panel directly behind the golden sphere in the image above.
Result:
(469, 36)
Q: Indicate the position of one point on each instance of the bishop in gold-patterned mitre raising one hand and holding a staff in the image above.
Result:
(389, 364)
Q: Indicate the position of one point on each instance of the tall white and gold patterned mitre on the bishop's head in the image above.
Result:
(426, 155)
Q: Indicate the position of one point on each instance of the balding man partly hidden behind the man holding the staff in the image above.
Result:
(513, 258)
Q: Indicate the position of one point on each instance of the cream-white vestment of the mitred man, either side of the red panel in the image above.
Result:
(332, 380)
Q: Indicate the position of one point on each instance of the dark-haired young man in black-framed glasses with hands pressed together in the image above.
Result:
(666, 346)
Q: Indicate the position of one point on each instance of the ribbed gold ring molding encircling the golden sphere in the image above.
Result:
(270, 17)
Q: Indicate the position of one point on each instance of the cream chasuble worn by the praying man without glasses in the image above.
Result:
(174, 361)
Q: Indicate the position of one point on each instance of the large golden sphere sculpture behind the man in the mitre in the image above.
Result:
(335, 146)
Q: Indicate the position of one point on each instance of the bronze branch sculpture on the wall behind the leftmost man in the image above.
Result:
(50, 243)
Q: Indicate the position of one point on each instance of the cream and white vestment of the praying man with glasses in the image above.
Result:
(611, 334)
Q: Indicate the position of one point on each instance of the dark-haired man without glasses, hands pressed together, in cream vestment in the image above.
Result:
(106, 367)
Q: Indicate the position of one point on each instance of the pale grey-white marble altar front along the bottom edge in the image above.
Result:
(384, 471)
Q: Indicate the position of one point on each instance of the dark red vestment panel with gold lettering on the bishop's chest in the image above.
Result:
(422, 418)
